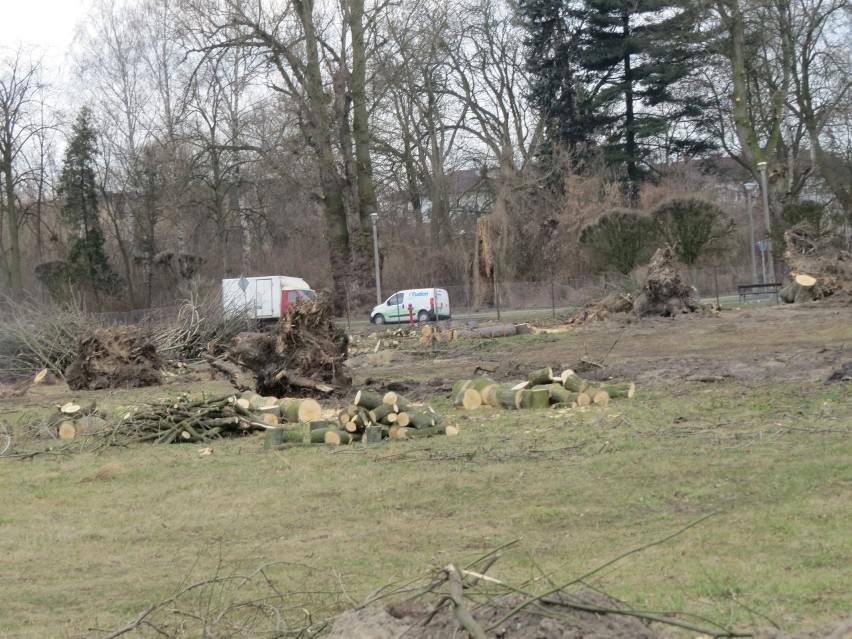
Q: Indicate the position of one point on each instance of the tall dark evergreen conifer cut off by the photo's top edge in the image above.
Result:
(627, 64)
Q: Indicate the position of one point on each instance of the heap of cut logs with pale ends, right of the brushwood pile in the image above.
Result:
(374, 416)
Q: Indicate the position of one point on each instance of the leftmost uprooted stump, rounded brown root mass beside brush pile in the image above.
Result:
(121, 357)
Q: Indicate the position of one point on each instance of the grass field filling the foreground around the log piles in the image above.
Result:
(92, 535)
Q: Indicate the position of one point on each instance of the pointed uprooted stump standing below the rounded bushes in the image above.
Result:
(663, 292)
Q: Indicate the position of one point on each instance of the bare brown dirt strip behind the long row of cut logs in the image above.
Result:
(757, 345)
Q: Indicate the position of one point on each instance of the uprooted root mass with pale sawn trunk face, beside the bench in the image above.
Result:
(819, 269)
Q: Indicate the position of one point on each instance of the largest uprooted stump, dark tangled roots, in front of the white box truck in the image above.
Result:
(303, 354)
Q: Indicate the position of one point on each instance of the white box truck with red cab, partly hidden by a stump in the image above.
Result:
(266, 297)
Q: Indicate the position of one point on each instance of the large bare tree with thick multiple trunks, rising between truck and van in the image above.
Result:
(316, 61)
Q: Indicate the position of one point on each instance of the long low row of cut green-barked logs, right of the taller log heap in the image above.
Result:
(542, 389)
